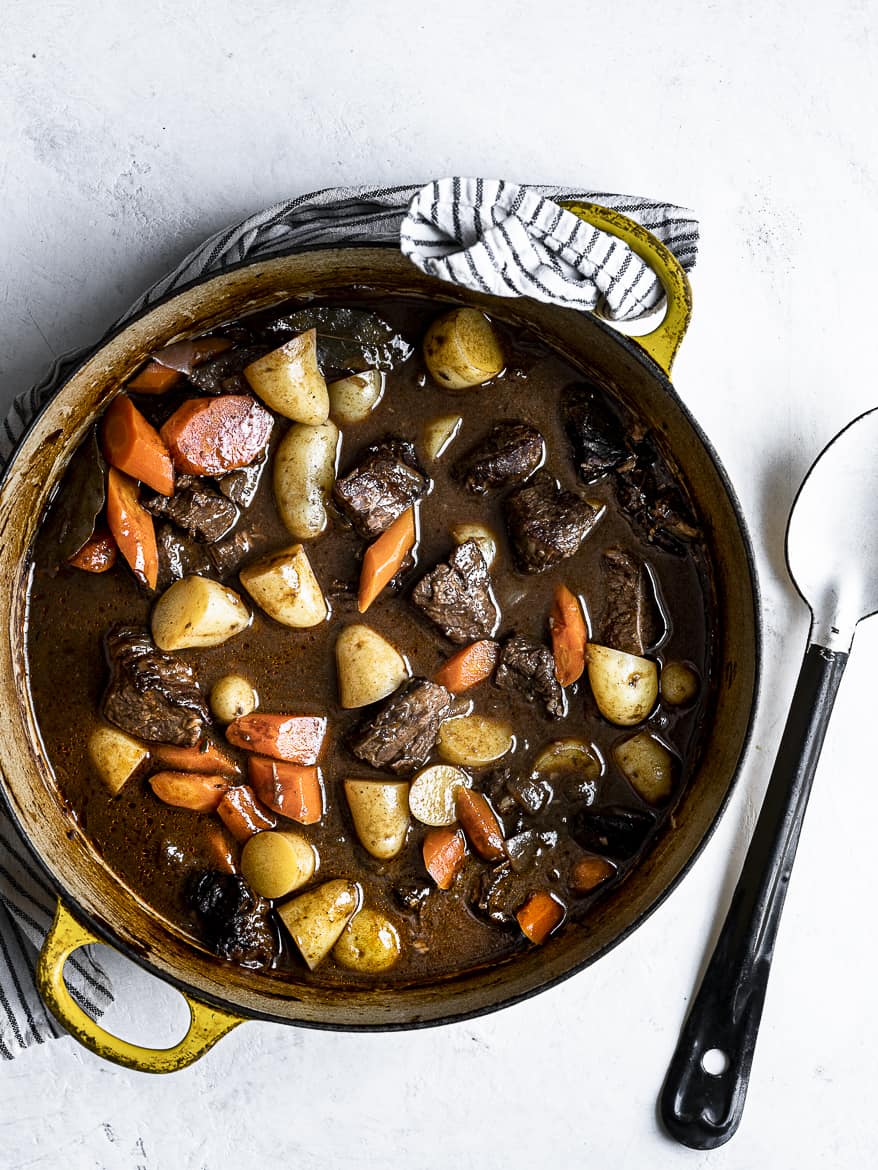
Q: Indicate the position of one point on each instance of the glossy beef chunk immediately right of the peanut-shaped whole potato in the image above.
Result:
(387, 480)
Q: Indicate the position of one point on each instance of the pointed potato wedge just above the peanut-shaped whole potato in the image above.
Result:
(289, 381)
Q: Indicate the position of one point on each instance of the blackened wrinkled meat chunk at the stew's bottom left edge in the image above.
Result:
(235, 920)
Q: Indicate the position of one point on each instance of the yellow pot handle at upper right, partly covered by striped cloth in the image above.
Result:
(663, 343)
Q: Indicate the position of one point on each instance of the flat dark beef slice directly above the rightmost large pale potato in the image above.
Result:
(633, 620)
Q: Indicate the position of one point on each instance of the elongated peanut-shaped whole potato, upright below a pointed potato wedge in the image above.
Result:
(304, 478)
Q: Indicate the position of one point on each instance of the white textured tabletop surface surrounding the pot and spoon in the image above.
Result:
(128, 132)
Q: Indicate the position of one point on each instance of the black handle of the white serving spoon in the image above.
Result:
(703, 1110)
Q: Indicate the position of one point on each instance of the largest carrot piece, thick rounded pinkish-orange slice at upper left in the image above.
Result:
(214, 436)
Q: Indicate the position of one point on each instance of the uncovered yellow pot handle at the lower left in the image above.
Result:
(208, 1026)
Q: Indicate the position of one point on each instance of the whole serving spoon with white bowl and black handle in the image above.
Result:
(833, 559)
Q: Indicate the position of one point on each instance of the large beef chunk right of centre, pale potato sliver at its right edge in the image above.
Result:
(546, 525)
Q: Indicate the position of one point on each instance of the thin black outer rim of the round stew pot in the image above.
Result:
(105, 932)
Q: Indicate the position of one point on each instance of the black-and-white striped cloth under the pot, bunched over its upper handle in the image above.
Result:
(485, 235)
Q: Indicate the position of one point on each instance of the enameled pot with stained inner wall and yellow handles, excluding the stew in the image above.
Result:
(95, 906)
